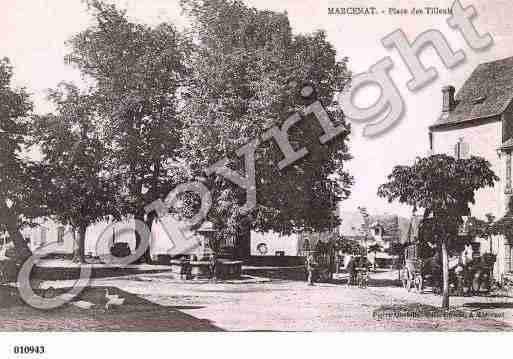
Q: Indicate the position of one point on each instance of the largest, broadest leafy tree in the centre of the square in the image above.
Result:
(248, 72)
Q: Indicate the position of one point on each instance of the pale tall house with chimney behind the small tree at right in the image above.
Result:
(478, 121)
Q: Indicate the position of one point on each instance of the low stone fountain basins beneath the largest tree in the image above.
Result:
(225, 269)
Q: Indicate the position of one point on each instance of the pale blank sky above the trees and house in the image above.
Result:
(34, 32)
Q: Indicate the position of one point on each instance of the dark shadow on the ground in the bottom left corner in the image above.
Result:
(136, 314)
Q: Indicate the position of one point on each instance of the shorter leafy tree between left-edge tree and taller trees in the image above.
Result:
(76, 184)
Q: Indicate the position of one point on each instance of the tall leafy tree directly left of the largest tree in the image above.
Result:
(137, 72)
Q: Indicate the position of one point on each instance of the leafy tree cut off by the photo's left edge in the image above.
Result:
(17, 194)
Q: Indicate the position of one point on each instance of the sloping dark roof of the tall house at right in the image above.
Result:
(486, 93)
